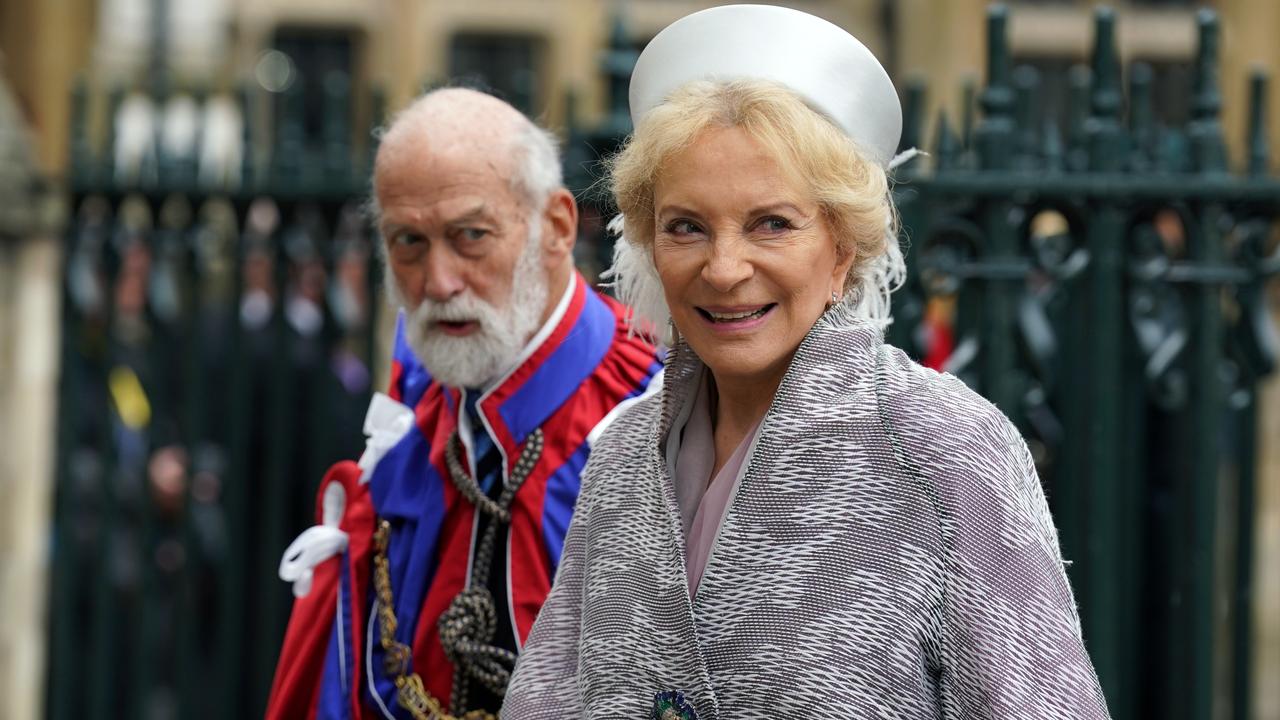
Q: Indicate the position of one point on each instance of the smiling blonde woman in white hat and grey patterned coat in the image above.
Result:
(803, 523)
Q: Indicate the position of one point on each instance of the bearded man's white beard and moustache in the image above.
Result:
(476, 361)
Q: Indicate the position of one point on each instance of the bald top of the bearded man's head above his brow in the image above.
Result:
(484, 130)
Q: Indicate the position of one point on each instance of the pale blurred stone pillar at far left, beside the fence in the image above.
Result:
(30, 295)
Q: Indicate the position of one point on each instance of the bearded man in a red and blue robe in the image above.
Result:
(433, 557)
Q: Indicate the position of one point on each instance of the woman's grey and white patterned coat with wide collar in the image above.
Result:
(888, 554)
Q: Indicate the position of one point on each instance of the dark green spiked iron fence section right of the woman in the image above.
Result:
(1109, 286)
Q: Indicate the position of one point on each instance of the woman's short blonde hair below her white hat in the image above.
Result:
(852, 192)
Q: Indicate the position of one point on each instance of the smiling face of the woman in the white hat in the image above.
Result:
(747, 262)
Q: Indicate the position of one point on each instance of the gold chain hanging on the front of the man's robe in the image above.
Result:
(399, 662)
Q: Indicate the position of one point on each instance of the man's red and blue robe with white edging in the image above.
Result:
(586, 368)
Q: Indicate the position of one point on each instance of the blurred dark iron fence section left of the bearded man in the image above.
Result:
(218, 354)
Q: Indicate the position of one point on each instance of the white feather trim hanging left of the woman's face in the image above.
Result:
(634, 280)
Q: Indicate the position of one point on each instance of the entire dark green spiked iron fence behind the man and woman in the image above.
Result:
(1104, 284)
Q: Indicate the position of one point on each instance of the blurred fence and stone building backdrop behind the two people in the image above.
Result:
(191, 321)
